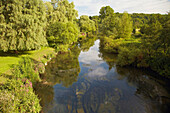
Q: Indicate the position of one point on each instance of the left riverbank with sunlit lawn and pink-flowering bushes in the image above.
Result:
(18, 74)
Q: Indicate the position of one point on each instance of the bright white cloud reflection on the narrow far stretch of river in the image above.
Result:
(94, 65)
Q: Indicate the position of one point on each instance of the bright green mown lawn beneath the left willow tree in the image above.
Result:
(7, 59)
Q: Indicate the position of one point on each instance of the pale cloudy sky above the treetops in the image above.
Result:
(92, 7)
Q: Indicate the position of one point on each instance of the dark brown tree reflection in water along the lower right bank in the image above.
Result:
(156, 98)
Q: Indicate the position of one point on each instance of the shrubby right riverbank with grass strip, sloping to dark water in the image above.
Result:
(134, 52)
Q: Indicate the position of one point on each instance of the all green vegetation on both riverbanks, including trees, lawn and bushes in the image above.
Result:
(140, 40)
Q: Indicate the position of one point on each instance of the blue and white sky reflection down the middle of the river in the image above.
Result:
(97, 84)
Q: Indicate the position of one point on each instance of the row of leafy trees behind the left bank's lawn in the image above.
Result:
(31, 24)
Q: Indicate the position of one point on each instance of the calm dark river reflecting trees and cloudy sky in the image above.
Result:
(87, 80)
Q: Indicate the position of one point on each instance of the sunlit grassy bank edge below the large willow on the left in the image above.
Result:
(8, 59)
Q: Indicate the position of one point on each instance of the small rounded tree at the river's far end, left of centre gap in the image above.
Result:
(86, 25)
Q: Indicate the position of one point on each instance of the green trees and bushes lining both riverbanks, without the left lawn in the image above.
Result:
(141, 40)
